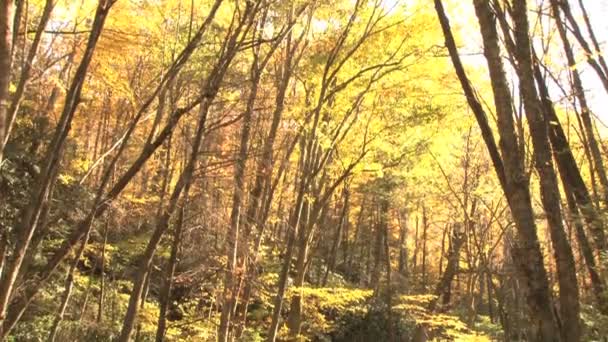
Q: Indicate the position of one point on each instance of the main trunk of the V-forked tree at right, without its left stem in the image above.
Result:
(527, 255)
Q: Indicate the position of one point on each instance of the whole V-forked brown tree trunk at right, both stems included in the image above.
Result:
(511, 174)
